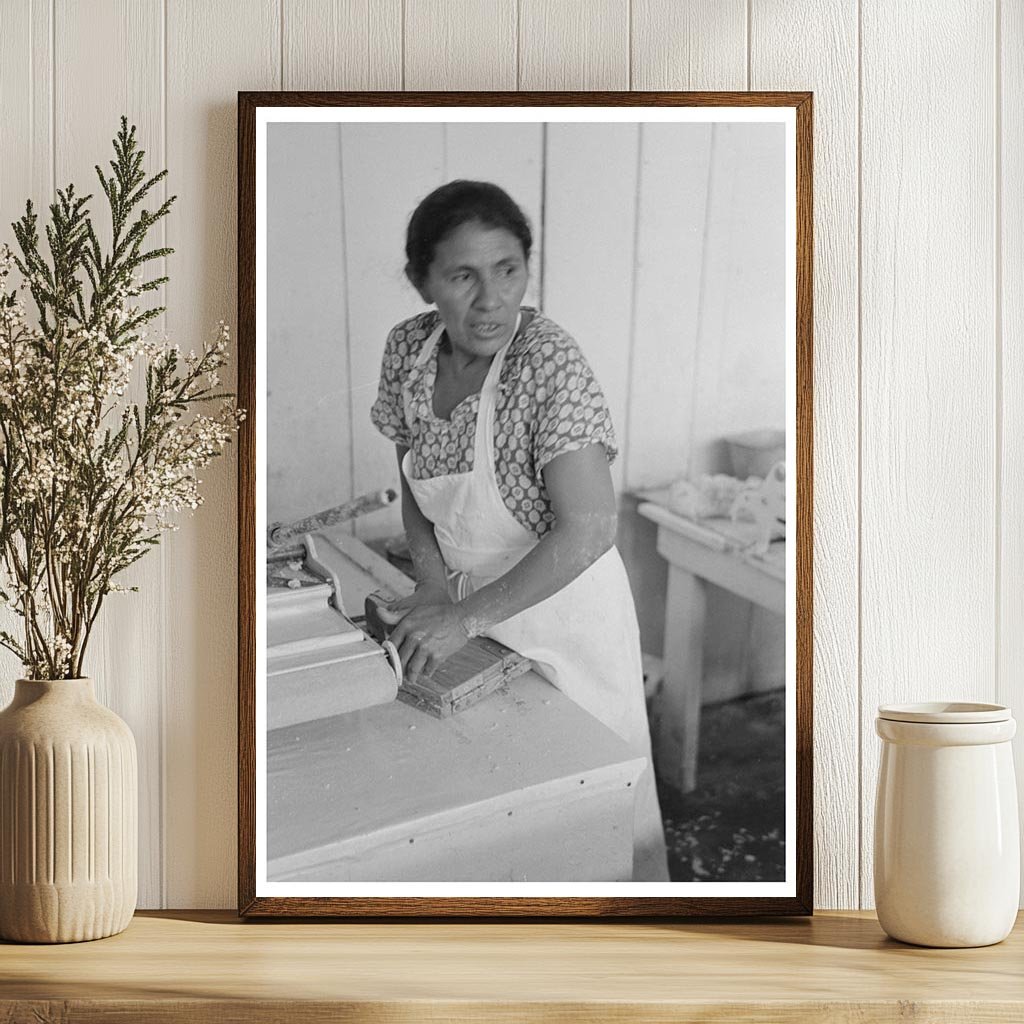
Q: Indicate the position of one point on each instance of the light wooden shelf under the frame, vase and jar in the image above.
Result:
(207, 966)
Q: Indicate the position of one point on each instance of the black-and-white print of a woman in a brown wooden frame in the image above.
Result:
(525, 504)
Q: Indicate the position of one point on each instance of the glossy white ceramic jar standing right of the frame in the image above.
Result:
(947, 841)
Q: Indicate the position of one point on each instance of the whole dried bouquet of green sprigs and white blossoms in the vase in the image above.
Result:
(89, 478)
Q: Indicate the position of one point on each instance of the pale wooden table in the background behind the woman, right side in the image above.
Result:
(711, 551)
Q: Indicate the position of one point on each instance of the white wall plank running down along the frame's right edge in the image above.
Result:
(815, 47)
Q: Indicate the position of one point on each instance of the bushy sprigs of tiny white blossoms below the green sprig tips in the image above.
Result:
(97, 499)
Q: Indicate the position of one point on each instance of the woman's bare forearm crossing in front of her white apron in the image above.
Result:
(559, 559)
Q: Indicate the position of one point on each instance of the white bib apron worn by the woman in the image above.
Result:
(584, 639)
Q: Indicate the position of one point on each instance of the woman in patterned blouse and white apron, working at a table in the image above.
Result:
(504, 442)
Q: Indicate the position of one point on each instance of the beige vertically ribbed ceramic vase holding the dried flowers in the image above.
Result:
(69, 798)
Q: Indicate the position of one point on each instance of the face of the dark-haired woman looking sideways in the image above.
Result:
(478, 281)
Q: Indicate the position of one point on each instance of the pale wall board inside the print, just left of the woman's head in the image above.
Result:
(412, 158)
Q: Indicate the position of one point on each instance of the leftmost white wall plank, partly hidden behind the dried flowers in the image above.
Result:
(26, 130)
